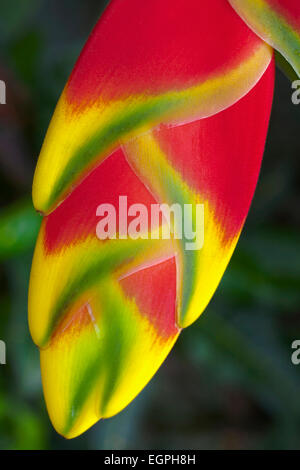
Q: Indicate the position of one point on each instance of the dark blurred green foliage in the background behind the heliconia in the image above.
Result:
(229, 383)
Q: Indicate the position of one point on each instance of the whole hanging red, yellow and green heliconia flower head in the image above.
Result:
(167, 104)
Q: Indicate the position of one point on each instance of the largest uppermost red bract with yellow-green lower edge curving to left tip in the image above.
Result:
(146, 63)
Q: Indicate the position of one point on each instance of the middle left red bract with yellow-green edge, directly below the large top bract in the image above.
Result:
(69, 258)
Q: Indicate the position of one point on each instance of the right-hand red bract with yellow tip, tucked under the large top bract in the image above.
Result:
(216, 162)
